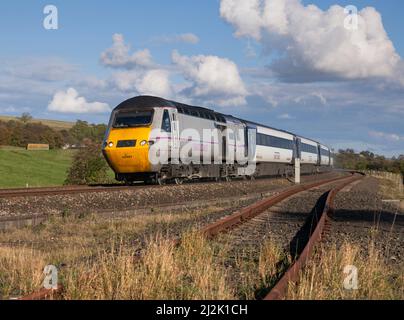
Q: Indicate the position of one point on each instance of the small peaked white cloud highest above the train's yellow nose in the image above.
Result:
(118, 56)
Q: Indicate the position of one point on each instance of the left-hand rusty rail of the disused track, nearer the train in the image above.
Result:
(253, 210)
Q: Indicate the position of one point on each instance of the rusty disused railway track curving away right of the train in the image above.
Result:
(298, 232)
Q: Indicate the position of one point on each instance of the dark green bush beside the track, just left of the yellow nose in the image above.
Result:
(89, 166)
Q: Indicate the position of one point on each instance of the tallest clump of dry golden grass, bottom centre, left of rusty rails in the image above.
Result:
(165, 272)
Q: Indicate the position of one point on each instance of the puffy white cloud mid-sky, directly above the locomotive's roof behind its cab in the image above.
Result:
(212, 77)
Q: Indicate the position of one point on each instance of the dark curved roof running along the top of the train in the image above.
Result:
(157, 102)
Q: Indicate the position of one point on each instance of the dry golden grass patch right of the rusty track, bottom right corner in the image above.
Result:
(323, 278)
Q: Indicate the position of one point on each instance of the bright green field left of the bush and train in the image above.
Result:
(19, 167)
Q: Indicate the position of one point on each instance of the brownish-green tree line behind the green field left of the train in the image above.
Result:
(20, 132)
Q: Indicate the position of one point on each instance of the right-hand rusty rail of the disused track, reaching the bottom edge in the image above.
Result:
(292, 274)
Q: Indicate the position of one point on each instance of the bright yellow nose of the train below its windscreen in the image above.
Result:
(127, 150)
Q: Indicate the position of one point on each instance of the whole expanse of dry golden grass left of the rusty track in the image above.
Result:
(99, 255)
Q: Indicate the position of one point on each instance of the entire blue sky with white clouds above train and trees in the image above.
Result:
(285, 66)
